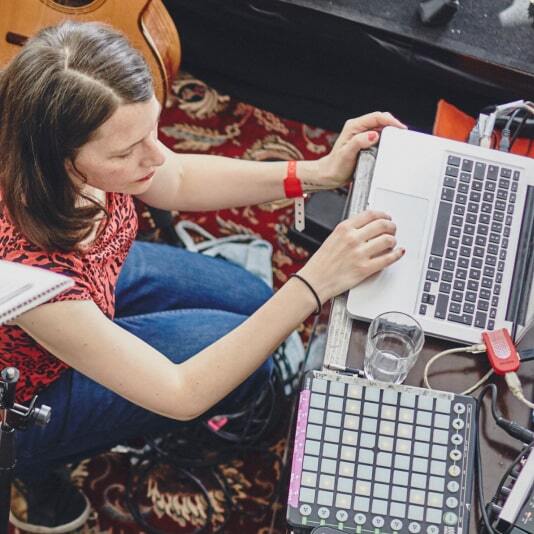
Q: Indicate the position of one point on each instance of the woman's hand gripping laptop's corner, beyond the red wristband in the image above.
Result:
(335, 169)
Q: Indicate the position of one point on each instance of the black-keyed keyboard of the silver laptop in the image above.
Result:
(471, 237)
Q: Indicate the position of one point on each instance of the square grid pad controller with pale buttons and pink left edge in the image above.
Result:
(381, 458)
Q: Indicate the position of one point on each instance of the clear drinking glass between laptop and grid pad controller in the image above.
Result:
(394, 341)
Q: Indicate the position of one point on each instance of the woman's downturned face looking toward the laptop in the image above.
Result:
(124, 152)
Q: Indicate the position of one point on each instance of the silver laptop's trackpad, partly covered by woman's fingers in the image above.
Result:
(409, 213)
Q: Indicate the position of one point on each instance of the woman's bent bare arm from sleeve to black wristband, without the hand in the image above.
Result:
(78, 333)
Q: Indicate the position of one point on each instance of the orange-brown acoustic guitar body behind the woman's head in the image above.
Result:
(145, 22)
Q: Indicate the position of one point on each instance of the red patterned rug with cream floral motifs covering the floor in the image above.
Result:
(200, 120)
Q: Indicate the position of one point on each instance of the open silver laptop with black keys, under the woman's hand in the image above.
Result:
(465, 215)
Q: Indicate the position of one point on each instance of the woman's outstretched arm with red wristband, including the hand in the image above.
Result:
(190, 182)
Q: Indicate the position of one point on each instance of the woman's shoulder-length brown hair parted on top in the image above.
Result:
(65, 83)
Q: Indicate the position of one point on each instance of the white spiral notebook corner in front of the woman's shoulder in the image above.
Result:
(23, 287)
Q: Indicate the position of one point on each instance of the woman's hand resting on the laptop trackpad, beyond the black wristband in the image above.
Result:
(357, 248)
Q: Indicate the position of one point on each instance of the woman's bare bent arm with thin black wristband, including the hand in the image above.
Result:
(79, 334)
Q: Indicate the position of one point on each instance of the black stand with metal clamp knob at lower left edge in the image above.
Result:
(13, 417)
